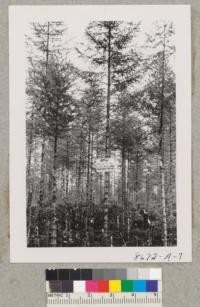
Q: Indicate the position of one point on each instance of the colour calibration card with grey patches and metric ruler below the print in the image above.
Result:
(106, 287)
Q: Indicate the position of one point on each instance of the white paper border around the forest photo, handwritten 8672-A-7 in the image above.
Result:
(19, 17)
